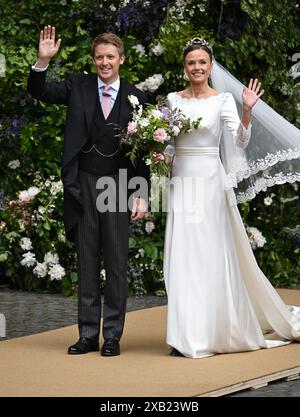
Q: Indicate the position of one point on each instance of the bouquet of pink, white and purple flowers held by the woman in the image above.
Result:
(152, 129)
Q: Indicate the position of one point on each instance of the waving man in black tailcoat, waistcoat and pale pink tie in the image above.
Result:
(96, 103)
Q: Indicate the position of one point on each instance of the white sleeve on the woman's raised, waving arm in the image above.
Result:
(230, 117)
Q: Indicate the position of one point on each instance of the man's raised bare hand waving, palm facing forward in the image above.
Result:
(47, 46)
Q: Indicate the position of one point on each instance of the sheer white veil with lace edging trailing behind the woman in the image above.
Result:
(273, 154)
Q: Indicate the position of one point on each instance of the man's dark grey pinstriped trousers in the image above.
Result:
(107, 234)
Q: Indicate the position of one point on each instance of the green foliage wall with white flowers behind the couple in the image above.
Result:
(249, 38)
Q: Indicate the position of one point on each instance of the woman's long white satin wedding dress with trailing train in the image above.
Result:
(218, 299)
